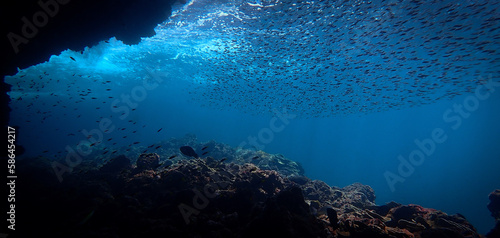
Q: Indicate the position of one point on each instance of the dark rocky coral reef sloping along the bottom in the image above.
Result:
(214, 197)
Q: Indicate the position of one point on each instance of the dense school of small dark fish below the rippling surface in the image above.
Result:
(325, 58)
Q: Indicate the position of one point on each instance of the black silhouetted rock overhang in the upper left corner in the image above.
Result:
(33, 30)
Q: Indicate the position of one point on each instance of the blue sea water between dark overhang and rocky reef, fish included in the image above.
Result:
(222, 71)
